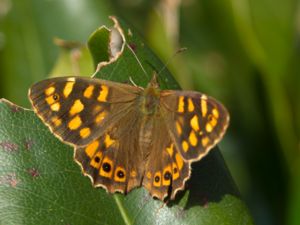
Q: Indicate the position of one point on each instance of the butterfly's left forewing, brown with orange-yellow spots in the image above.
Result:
(78, 110)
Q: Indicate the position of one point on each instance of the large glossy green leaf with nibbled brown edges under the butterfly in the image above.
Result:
(41, 184)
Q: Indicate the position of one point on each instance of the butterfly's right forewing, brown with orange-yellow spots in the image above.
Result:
(195, 121)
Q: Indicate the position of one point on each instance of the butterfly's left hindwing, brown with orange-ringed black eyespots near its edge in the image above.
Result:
(114, 160)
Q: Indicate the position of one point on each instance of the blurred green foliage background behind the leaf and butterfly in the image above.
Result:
(243, 52)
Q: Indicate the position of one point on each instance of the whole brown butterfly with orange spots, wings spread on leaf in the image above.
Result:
(127, 136)
